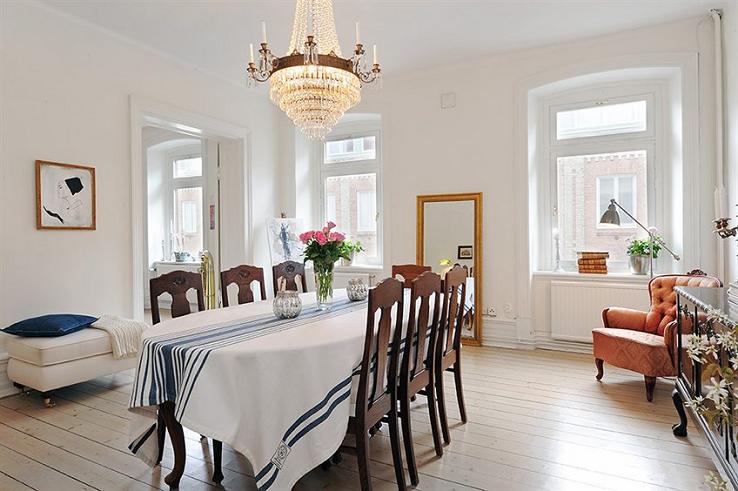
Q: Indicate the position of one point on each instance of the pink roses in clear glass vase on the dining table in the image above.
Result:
(324, 247)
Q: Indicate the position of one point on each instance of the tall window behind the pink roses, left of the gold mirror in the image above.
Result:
(350, 169)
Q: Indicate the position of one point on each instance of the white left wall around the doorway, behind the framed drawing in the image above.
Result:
(65, 97)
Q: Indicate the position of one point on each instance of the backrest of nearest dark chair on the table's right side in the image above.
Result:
(378, 376)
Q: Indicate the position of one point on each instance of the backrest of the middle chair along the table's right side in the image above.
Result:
(425, 289)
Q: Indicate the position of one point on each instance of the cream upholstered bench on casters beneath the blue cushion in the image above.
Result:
(48, 363)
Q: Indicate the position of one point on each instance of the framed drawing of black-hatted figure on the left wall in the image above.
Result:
(65, 196)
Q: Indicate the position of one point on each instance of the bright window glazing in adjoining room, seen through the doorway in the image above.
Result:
(186, 219)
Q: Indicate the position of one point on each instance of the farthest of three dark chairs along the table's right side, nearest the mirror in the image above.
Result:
(448, 345)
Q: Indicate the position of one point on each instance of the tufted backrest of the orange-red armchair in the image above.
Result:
(663, 297)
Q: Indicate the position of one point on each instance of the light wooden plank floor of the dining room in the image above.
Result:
(537, 420)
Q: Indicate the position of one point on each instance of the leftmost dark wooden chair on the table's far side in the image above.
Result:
(177, 284)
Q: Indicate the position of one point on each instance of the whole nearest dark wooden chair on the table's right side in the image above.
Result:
(377, 393)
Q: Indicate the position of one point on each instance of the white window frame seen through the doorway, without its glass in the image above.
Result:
(172, 184)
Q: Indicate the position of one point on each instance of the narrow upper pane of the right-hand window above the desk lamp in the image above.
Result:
(607, 119)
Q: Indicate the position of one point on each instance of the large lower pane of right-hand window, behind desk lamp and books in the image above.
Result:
(586, 183)
